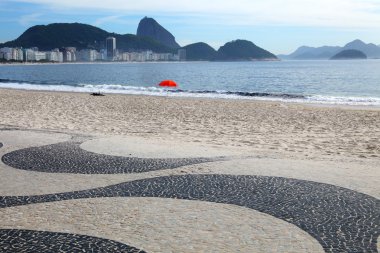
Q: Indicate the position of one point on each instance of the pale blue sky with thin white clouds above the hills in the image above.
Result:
(280, 26)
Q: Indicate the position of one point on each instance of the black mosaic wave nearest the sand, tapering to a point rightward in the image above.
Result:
(68, 157)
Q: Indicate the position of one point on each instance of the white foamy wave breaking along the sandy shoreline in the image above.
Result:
(158, 91)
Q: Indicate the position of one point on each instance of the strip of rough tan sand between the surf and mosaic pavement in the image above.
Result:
(293, 129)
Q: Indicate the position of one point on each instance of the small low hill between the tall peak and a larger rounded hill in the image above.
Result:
(200, 51)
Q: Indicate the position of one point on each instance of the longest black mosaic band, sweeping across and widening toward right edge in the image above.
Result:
(341, 220)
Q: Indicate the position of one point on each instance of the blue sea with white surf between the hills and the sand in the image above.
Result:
(348, 82)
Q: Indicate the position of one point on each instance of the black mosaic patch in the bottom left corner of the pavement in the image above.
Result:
(15, 240)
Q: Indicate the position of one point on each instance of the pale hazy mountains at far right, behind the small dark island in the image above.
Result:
(326, 52)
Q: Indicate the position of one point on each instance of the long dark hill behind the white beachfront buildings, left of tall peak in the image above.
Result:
(47, 37)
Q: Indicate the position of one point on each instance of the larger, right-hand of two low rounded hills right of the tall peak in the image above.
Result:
(243, 50)
